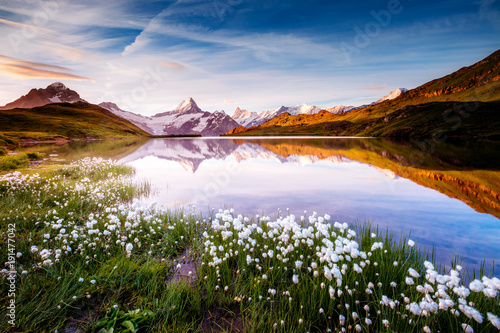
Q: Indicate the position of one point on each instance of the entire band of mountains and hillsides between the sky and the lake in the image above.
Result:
(441, 105)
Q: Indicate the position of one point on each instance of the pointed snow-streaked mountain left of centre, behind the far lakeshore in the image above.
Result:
(186, 118)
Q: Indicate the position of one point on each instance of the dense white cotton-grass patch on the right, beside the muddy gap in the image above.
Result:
(320, 272)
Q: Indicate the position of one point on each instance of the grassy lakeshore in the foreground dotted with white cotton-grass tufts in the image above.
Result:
(90, 257)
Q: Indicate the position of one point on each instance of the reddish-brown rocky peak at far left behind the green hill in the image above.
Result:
(54, 93)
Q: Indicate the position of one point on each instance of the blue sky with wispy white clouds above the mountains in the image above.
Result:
(149, 55)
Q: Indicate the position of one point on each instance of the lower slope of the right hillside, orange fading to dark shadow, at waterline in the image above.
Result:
(439, 120)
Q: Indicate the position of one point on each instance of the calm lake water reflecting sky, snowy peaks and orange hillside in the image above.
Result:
(445, 194)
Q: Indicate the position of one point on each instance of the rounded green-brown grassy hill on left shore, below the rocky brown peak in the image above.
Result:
(63, 121)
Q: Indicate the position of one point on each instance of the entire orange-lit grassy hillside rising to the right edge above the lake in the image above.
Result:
(464, 103)
